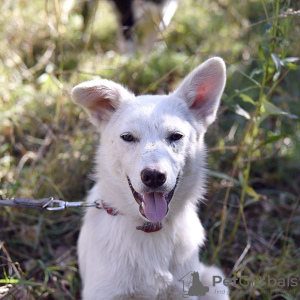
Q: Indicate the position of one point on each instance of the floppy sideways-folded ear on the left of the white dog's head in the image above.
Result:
(100, 98)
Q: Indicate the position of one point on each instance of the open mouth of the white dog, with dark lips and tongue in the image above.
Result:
(153, 206)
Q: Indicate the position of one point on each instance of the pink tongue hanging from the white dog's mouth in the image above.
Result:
(156, 206)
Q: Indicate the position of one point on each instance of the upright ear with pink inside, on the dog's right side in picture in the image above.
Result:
(202, 89)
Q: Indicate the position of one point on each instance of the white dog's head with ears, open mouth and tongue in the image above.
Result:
(152, 146)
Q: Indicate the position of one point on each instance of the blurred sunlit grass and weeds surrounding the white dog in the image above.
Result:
(47, 144)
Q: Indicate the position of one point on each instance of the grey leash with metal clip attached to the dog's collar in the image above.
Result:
(47, 203)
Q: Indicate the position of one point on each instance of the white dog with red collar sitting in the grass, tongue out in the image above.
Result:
(150, 176)
